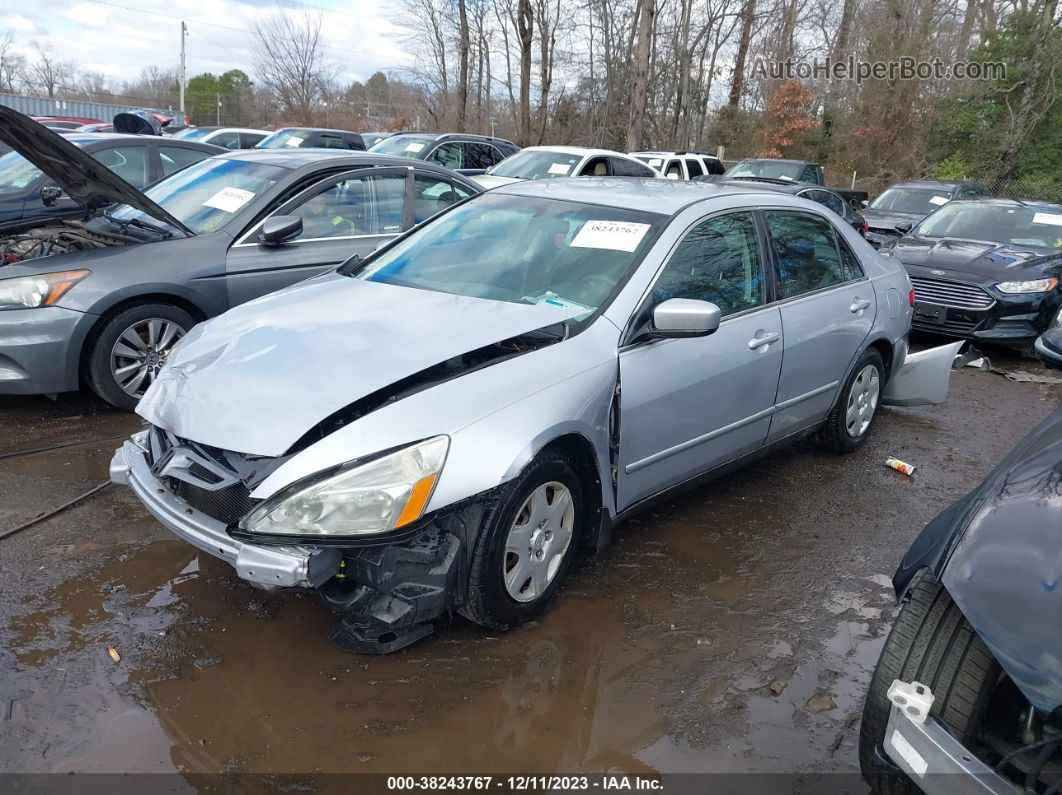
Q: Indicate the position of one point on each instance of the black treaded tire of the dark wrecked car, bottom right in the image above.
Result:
(931, 643)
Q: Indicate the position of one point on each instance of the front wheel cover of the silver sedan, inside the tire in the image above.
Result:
(538, 542)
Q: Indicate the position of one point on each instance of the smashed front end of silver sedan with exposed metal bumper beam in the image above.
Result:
(388, 592)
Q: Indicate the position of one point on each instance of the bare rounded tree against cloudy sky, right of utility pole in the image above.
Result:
(289, 61)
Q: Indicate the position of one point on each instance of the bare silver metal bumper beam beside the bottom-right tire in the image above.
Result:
(937, 763)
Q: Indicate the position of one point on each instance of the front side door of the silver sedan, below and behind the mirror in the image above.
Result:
(691, 405)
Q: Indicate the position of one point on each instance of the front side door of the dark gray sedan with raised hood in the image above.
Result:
(353, 213)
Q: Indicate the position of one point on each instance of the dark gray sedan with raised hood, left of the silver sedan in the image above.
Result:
(102, 300)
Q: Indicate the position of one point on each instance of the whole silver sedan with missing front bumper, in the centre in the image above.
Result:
(441, 426)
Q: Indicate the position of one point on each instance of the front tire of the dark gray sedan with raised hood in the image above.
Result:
(129, 323)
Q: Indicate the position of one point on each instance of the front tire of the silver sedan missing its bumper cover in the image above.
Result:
(489, 601)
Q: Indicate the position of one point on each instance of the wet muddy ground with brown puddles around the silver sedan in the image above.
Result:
(732, 630)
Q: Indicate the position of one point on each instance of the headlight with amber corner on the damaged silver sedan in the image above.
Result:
(367, 499)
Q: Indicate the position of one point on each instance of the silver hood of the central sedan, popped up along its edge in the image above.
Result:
(258, 378)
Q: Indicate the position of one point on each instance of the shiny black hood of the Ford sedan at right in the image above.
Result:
(992, 261)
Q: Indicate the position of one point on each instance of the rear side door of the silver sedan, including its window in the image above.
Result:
(828, 310)
